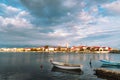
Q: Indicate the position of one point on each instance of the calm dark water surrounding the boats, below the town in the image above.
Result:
(37, 66)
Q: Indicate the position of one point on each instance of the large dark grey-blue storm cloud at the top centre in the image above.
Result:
(49, 11)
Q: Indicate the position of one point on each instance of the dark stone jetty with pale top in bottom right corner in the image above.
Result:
(107, 74)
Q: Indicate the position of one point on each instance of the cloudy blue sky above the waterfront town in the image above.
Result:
(26, 23)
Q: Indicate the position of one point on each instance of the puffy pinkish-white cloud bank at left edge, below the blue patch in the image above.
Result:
(15, 22)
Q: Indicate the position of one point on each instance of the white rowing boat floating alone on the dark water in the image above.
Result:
(67, 66)
